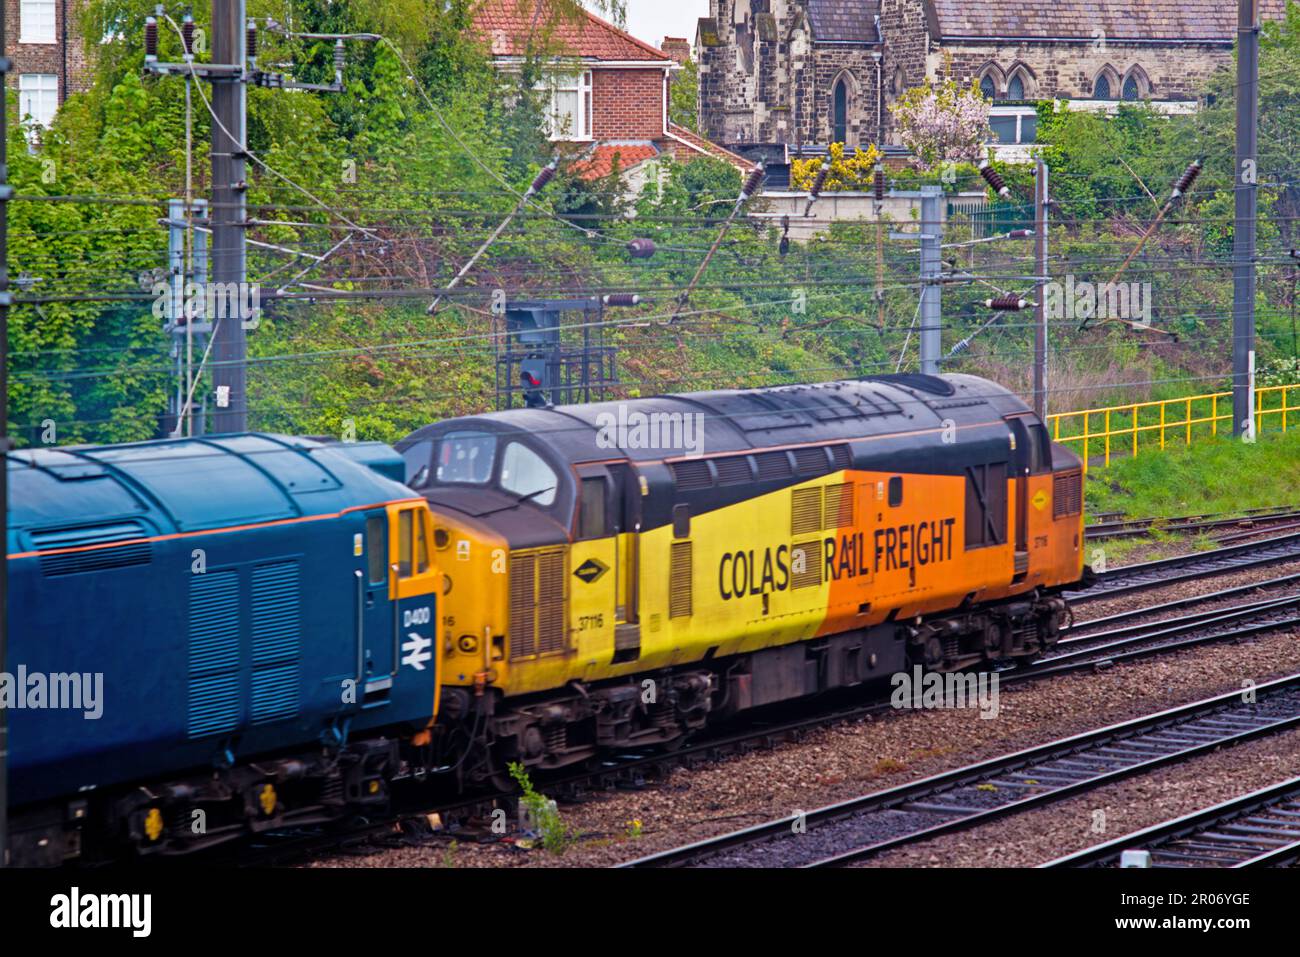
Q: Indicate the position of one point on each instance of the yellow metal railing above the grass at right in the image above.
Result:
(1120, 430)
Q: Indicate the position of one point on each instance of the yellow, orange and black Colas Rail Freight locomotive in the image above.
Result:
(606, 587)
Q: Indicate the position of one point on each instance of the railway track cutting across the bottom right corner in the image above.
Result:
(1256, 830)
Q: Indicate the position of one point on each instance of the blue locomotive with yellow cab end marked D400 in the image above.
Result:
(211, 636)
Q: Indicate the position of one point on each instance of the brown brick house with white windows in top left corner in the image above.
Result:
(45, 42)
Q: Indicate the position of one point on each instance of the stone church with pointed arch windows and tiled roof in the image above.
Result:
(813, 72)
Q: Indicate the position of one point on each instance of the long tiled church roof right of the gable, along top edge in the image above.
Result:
(1116, 20)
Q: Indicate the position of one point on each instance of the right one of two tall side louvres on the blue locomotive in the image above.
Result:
(276, 640)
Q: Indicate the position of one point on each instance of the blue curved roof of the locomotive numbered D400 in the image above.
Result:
(193, 484)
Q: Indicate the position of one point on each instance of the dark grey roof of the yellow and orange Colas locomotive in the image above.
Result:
(739, 421)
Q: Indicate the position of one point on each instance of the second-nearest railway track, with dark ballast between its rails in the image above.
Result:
(857, 830)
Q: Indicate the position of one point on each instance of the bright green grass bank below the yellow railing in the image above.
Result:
(1210, 478)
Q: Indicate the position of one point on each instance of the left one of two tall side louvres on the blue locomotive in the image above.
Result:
(214, 672)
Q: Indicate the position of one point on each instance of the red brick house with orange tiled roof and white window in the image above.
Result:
(608, 92)
